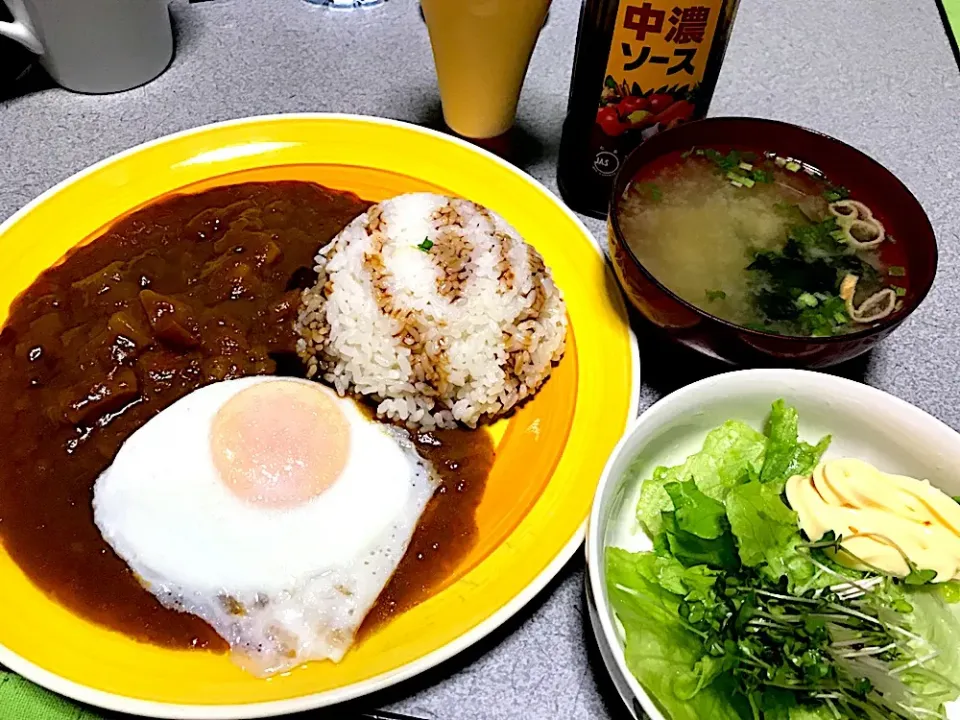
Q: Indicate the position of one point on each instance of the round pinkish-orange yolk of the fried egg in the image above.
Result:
(280, 443)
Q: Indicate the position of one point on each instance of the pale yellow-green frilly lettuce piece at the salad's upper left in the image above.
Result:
(732, 454)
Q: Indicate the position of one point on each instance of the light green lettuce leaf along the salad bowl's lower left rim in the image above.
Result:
(660, 651)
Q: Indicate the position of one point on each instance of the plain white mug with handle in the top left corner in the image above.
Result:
(95, 46)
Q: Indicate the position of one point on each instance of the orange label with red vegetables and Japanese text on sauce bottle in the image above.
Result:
(658, 58)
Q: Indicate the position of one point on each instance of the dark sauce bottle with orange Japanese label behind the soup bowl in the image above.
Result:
(641, 67)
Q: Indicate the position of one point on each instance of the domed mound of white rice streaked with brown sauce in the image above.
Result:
(436, 309)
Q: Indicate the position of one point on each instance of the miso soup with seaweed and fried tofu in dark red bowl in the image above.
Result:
(764, 241)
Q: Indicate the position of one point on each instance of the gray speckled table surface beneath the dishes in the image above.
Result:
(878, 74)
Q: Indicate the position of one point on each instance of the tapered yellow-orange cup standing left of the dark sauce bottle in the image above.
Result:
(482, 49)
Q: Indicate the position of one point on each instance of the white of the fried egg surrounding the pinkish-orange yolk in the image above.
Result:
(282, 586)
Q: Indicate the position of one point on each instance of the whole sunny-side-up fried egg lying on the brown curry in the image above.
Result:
(269, 507)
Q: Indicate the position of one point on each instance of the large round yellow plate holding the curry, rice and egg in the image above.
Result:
(549, 454)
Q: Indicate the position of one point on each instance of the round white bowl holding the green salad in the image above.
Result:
(864, 422)
